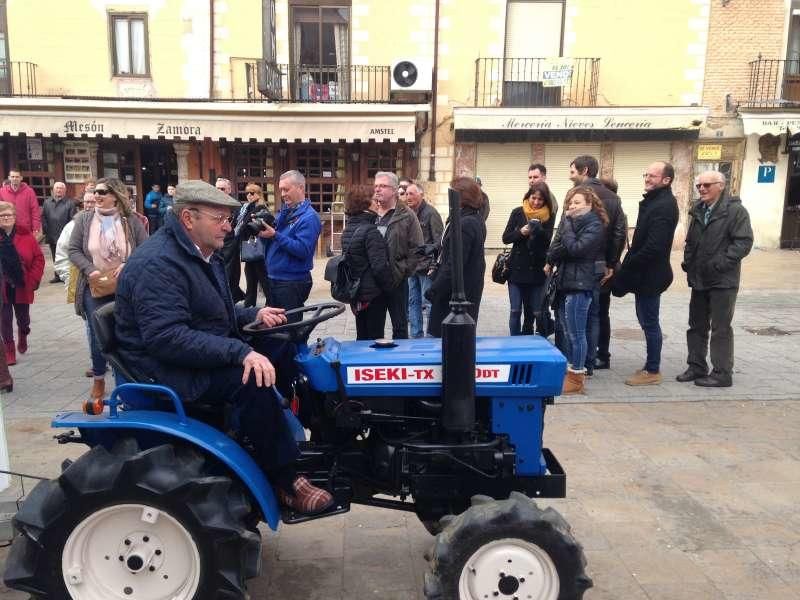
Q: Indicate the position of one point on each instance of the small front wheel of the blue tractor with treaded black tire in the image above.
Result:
(516, 522)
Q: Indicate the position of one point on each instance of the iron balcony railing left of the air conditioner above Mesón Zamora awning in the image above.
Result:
(313, 83)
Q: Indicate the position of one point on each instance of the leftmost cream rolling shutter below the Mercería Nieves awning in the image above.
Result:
(503, 169)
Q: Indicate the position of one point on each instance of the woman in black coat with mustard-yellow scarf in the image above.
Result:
(529, 229)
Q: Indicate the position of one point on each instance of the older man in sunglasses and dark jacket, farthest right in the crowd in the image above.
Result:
(719, 236)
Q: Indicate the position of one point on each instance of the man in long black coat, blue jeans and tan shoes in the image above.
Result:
(646, 270)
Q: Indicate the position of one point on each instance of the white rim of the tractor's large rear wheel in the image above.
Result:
(130, 551)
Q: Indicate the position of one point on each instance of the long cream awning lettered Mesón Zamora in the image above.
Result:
(258, 122)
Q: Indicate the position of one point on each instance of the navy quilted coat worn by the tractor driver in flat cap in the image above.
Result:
(175, 317)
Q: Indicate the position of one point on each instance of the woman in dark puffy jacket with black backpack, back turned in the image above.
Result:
(367, 256)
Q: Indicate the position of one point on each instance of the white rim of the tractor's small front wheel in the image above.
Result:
(509, 568)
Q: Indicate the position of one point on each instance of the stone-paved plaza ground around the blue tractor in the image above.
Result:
(675, 491)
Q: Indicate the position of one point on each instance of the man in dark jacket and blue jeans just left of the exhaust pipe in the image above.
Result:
(418, 283)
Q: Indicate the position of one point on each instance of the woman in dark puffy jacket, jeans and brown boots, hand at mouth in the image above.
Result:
(578, 255)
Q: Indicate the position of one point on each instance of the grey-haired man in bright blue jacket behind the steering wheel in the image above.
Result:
(291, 244)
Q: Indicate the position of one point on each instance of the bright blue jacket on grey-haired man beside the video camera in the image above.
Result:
(290, 253)
